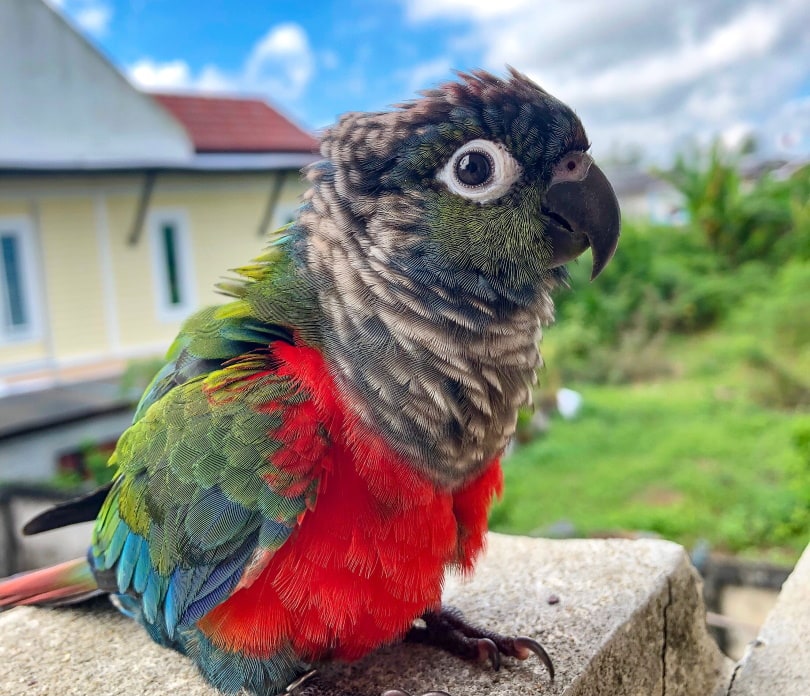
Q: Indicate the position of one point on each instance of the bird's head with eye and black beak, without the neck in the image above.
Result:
(492, 174)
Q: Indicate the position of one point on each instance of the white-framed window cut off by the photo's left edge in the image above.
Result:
(17, 307)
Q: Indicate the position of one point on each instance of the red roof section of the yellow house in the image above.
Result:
(233, 124)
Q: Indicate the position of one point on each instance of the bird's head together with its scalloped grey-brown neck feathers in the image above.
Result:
(432, 235)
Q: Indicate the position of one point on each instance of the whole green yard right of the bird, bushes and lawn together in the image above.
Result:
(710, 325)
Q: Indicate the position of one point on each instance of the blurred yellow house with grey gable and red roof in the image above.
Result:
(119, 210)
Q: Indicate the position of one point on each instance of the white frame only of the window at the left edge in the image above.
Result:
(22, 229)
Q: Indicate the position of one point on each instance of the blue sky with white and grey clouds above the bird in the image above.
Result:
(647, 77)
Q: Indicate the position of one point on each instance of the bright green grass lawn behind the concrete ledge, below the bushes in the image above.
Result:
(688, 458)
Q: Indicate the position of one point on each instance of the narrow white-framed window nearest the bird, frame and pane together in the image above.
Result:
(173, 267)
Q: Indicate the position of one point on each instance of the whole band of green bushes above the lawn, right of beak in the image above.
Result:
(744, 254)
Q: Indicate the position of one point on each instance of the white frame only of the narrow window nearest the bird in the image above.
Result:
(167, 311)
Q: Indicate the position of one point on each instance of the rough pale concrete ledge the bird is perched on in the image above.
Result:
(627, 620)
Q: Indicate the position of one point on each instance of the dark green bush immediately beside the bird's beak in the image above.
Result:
(660, 282)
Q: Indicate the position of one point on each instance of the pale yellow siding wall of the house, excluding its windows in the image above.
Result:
(83, 225)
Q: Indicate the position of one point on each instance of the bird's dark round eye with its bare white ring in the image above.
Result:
(480, 159)
